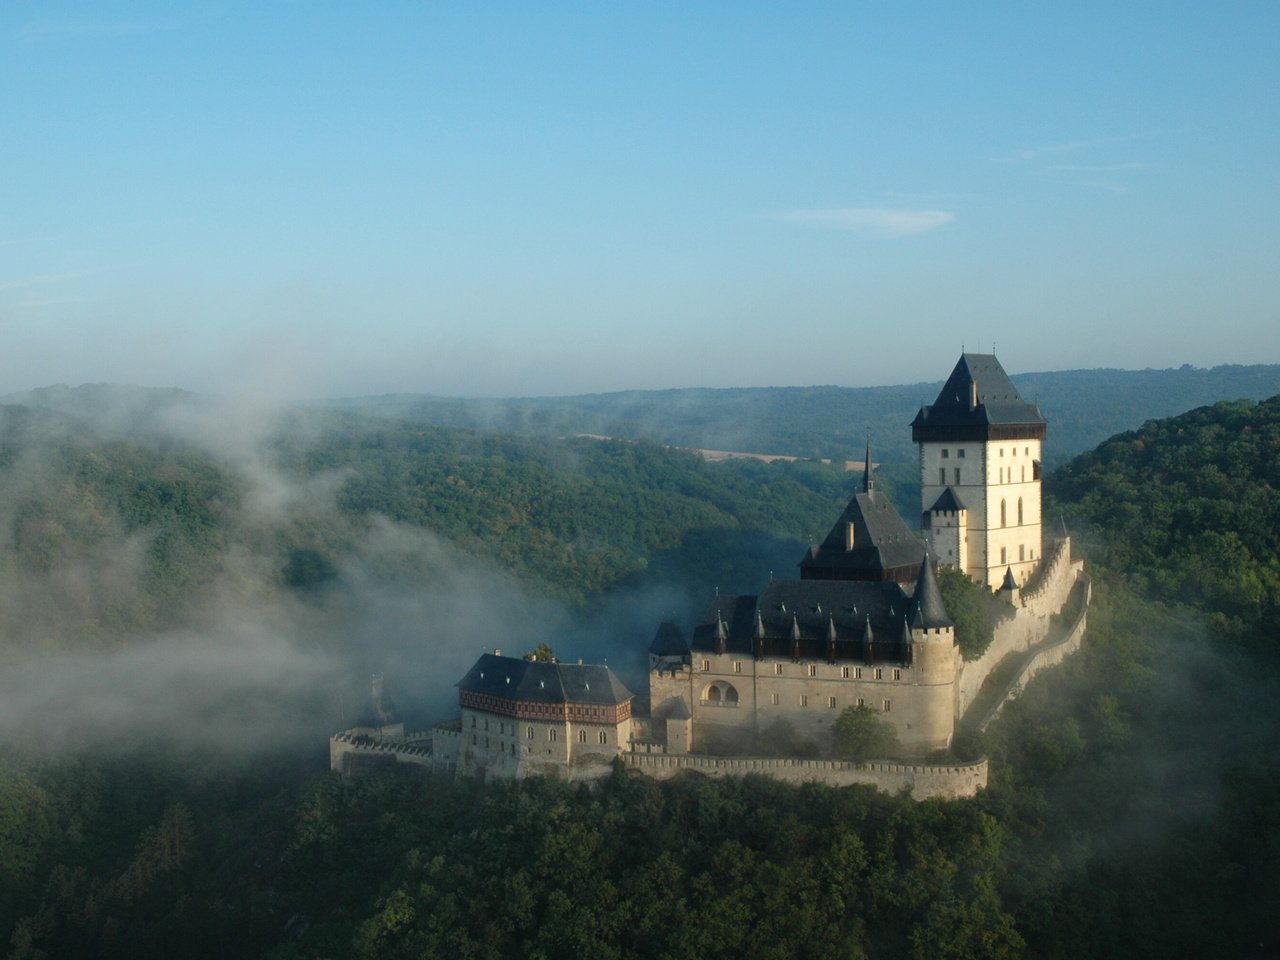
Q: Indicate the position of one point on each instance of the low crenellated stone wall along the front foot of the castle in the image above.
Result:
(924, 781)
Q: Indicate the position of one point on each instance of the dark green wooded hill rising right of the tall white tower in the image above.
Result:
(1188, 509)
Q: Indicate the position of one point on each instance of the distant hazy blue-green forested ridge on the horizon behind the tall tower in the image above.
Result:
(1084, 409)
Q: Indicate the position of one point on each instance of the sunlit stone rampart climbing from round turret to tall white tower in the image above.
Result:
(1030, 624)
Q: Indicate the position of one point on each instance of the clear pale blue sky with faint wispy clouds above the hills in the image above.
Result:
(322, 199)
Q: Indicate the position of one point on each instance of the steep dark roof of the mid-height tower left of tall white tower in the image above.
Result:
(885, 547)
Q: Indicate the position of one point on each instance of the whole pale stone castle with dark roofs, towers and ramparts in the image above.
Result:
(865, 625)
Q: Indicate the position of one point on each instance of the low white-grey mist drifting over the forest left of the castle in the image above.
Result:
(250, 616)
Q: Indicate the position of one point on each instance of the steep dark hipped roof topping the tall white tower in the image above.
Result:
(979, 401)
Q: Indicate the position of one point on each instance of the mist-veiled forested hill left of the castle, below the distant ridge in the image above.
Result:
(127, 524)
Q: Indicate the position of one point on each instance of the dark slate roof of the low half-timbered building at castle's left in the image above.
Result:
(545, 683)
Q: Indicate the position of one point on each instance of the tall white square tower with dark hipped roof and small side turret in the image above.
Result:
(981, 473)
